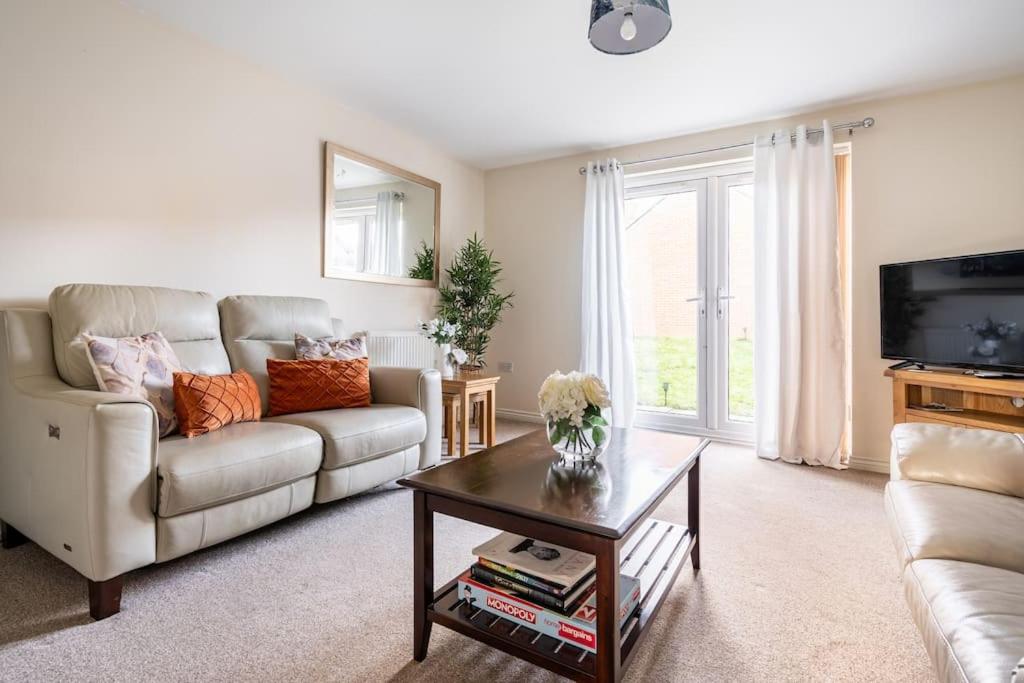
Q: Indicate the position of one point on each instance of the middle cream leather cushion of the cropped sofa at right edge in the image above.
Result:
(940, 522)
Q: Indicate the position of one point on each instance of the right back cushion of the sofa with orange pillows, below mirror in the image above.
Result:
(258, 328)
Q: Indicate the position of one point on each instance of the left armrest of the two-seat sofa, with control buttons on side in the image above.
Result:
(77, 467)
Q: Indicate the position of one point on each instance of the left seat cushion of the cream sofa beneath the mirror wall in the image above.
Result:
(238, 461)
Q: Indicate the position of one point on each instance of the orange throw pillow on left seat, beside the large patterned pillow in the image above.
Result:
(207, 403)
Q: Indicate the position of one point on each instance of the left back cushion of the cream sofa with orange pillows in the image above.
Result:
(188, 320)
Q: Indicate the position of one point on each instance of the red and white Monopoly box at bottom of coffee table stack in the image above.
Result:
(579, 630)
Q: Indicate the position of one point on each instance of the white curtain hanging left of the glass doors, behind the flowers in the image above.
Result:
(607, 333)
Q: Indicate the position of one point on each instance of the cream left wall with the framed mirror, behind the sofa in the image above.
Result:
(133, 153)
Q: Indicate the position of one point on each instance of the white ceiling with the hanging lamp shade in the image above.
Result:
(498, 82)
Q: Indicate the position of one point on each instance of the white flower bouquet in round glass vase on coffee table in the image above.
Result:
(572, 405)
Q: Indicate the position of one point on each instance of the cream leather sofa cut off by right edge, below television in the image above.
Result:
(956, 508)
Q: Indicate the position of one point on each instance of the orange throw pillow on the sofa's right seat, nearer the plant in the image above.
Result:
(301, 387)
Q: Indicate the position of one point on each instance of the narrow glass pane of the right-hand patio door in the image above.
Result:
(741, 217)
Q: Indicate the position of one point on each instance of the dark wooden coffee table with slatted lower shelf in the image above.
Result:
(605, 513)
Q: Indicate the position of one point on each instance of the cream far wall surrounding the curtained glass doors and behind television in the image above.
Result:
(942, 174)
